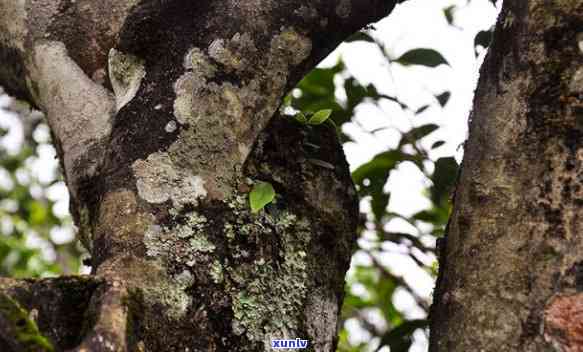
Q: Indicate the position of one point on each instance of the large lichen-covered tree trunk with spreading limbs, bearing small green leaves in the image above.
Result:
(164, 114)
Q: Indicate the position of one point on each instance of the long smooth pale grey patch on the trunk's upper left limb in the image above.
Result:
(78, 109)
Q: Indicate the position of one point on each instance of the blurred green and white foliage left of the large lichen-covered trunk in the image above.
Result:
(28, 222)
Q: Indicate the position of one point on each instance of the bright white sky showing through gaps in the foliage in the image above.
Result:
(414, 24)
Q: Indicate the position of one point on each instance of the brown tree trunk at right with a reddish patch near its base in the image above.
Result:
(511, 268)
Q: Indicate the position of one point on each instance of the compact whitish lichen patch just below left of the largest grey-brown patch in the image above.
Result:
(159, 180)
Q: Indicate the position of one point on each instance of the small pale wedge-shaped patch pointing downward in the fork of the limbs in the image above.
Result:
(126, 72)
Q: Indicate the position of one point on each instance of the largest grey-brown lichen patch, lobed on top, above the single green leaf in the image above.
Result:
(220, 120)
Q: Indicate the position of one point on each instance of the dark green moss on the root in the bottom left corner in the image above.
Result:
(25, 329)
